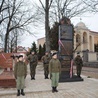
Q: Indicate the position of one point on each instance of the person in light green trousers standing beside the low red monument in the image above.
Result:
(20, 73)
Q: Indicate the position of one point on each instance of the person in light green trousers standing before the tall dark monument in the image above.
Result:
(55, 70)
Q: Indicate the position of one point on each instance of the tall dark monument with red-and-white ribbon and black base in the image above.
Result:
(66, 46)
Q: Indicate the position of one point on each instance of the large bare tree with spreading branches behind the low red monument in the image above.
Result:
(19, 16)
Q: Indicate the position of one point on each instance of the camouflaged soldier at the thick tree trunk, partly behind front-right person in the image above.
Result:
(45, 59)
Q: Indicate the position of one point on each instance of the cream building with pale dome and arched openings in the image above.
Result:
(85, 40)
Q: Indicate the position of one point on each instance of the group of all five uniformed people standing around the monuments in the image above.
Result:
(51, 65)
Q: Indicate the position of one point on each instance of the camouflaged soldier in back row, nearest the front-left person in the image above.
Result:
(33, 59)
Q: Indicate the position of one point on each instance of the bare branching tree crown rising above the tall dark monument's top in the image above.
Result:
(68, 8)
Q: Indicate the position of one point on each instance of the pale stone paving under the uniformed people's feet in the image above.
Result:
(40, 88)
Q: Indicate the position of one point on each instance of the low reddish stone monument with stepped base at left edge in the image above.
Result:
(6, 77)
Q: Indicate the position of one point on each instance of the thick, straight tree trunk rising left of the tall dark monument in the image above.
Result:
(47, 26)
